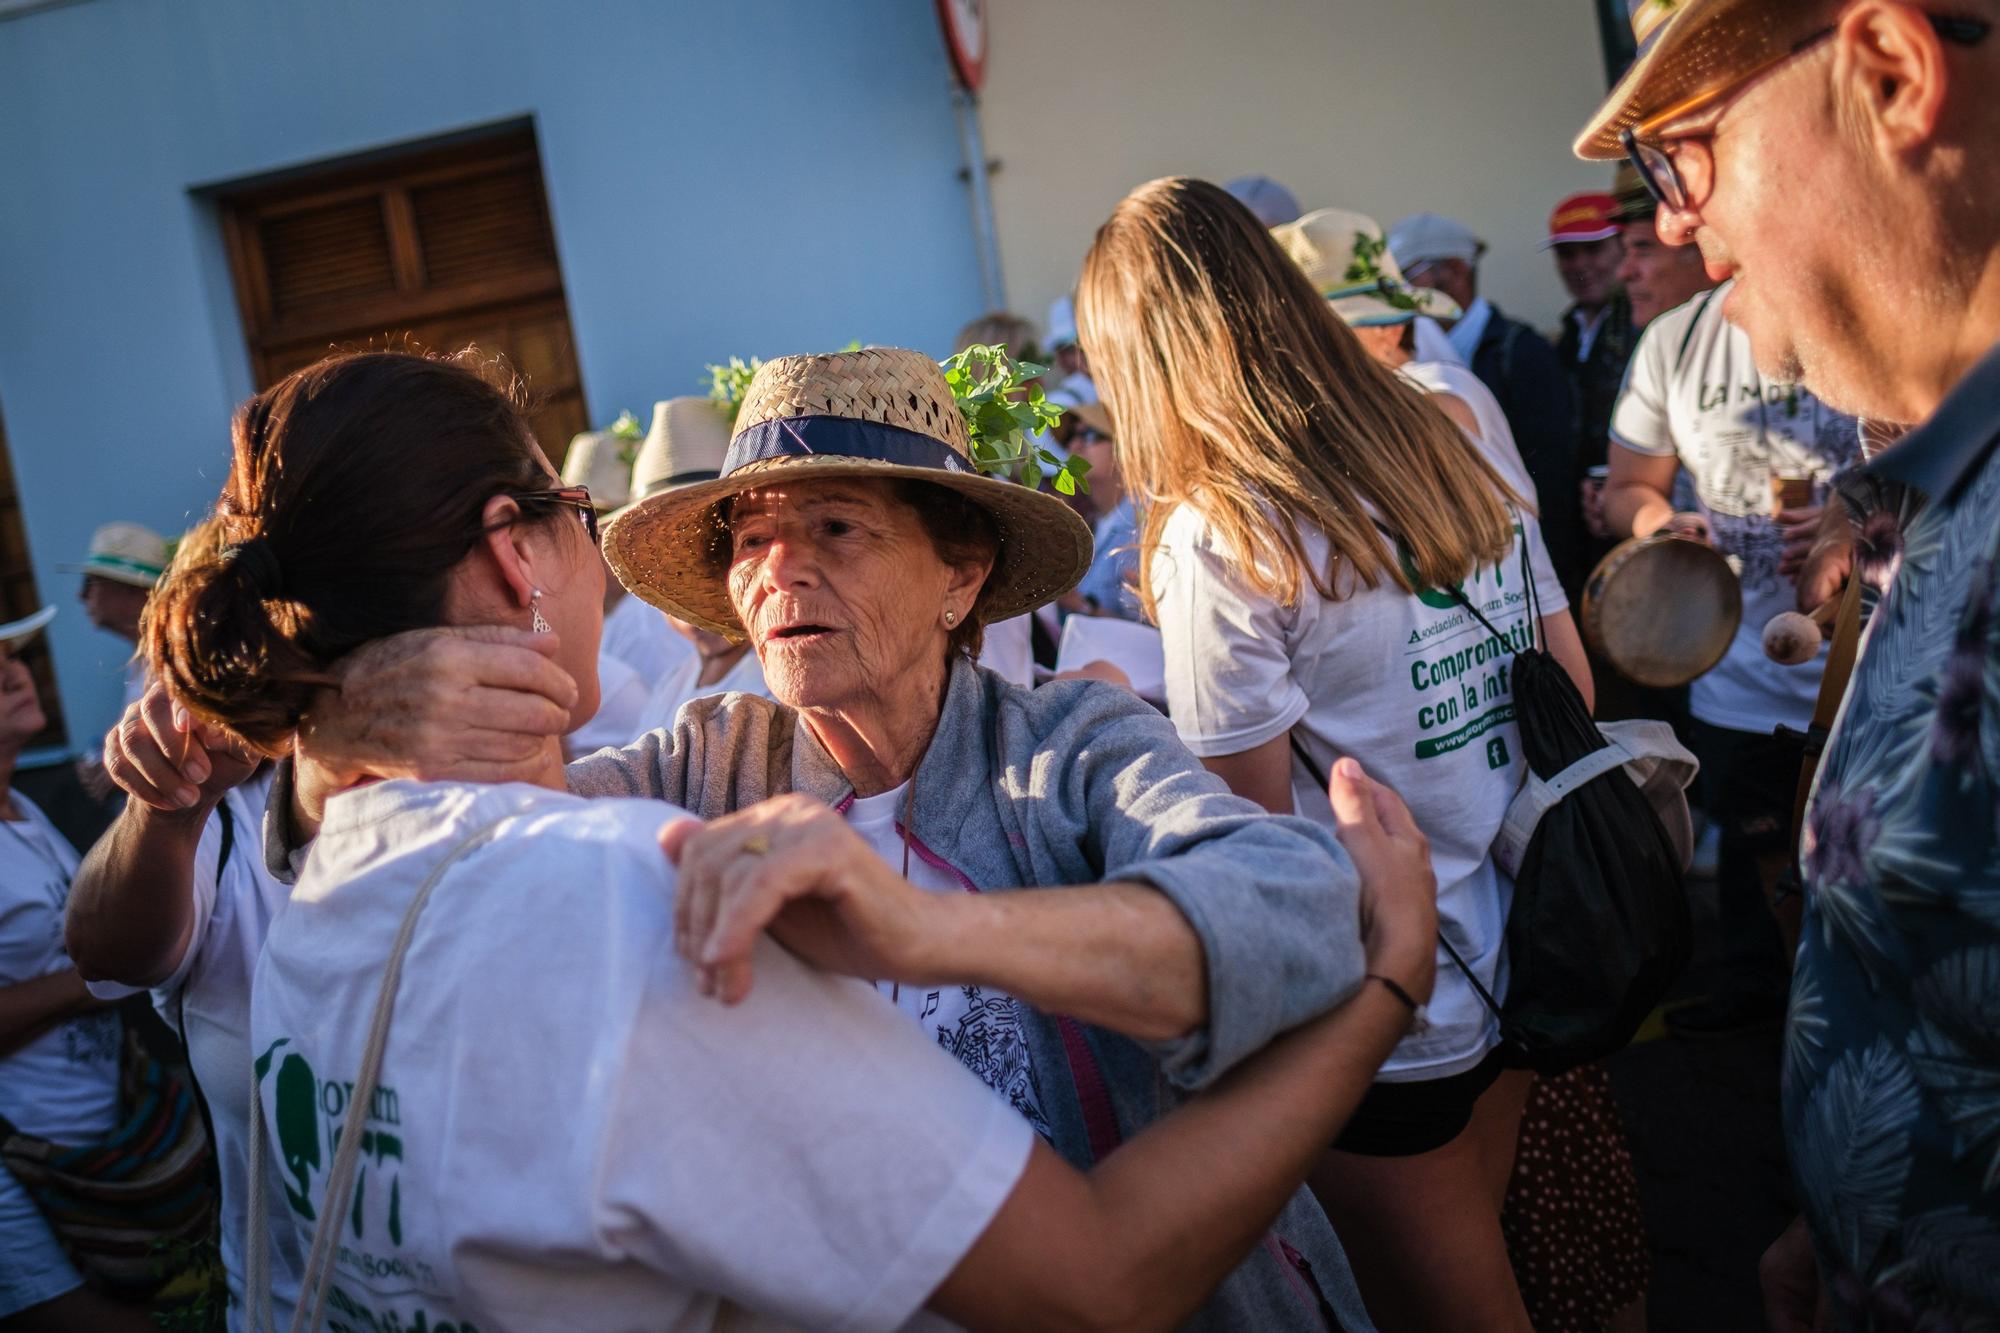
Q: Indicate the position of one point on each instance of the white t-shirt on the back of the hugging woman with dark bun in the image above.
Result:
(567, 1136)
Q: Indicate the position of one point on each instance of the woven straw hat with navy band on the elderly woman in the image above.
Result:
(879, 413)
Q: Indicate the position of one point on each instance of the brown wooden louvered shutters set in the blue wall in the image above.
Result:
(435, 251)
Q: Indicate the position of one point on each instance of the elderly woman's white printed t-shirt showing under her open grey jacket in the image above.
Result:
(975, 1026)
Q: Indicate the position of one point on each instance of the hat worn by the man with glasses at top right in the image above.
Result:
(1689, 49)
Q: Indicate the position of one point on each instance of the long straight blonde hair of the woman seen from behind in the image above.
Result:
(1239, 393)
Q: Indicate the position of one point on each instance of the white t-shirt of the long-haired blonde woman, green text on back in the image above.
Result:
(1413, 688)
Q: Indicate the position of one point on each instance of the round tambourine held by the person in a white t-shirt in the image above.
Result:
(1663, 609)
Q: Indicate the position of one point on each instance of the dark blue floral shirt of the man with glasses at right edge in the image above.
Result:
(1893, 1052)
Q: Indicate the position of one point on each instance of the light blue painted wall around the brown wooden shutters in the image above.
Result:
(739, 177)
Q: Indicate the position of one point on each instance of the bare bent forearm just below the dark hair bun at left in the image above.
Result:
(131, 916)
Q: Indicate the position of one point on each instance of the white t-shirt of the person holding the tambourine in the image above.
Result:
(1693, 391)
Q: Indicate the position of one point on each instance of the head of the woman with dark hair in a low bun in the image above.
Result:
(267, 591)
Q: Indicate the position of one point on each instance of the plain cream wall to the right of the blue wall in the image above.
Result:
(1465, 107)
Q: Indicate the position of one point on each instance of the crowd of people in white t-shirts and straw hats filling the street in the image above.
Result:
(809, 866)
